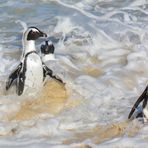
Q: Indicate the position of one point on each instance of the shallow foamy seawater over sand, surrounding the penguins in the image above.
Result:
(102, 49)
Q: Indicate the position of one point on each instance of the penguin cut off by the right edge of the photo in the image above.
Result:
(144, 111)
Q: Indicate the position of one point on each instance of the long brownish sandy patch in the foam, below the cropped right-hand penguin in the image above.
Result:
(101, 133)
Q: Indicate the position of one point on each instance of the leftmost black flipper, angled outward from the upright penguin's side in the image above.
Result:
(13, 76)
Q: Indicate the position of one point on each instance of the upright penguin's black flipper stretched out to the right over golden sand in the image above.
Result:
(49, 72)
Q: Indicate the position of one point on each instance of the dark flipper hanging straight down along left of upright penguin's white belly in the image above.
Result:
(21, 81)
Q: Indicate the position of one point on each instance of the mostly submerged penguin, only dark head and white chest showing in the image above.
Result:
(47, 51)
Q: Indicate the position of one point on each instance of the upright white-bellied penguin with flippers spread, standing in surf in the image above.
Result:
(30, 74)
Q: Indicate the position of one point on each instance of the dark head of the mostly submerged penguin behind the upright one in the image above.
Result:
(47, 48)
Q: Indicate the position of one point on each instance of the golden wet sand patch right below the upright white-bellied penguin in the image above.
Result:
(51, 100)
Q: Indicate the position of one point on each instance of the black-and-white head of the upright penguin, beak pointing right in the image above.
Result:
(33, 33)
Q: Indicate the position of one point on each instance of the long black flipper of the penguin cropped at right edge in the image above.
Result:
(144, 97)
